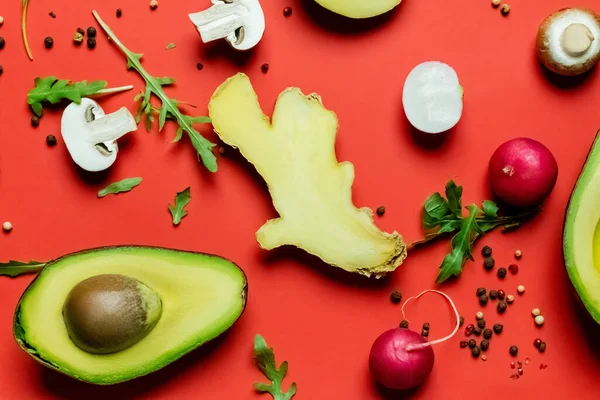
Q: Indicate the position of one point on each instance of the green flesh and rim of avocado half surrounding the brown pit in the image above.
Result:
(201, 296)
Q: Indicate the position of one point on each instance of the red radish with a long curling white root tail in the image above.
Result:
(401, 358)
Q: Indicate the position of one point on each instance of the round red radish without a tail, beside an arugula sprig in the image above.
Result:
(523, 172)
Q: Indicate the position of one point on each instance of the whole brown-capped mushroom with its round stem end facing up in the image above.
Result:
(568, 41)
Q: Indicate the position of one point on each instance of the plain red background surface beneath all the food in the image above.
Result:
(321, 321)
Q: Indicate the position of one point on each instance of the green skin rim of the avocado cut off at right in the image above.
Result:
(576, 284)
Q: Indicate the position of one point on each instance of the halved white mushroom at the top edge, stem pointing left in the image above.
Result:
(240, 22)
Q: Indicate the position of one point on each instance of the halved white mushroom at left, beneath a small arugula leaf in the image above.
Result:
(91, 136)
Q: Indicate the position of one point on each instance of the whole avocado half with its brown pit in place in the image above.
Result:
(112, 314)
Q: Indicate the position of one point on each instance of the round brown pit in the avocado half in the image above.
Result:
(109, 313)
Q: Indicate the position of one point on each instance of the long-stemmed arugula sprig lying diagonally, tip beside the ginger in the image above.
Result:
(169, 107)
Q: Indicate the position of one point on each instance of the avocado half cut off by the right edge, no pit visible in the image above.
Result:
(581, 240)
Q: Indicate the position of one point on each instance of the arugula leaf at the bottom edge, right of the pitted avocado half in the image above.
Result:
(265, 360)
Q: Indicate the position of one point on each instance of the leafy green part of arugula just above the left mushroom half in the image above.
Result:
(54, 90)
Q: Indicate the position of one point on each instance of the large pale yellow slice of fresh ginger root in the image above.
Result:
(311, 191)
